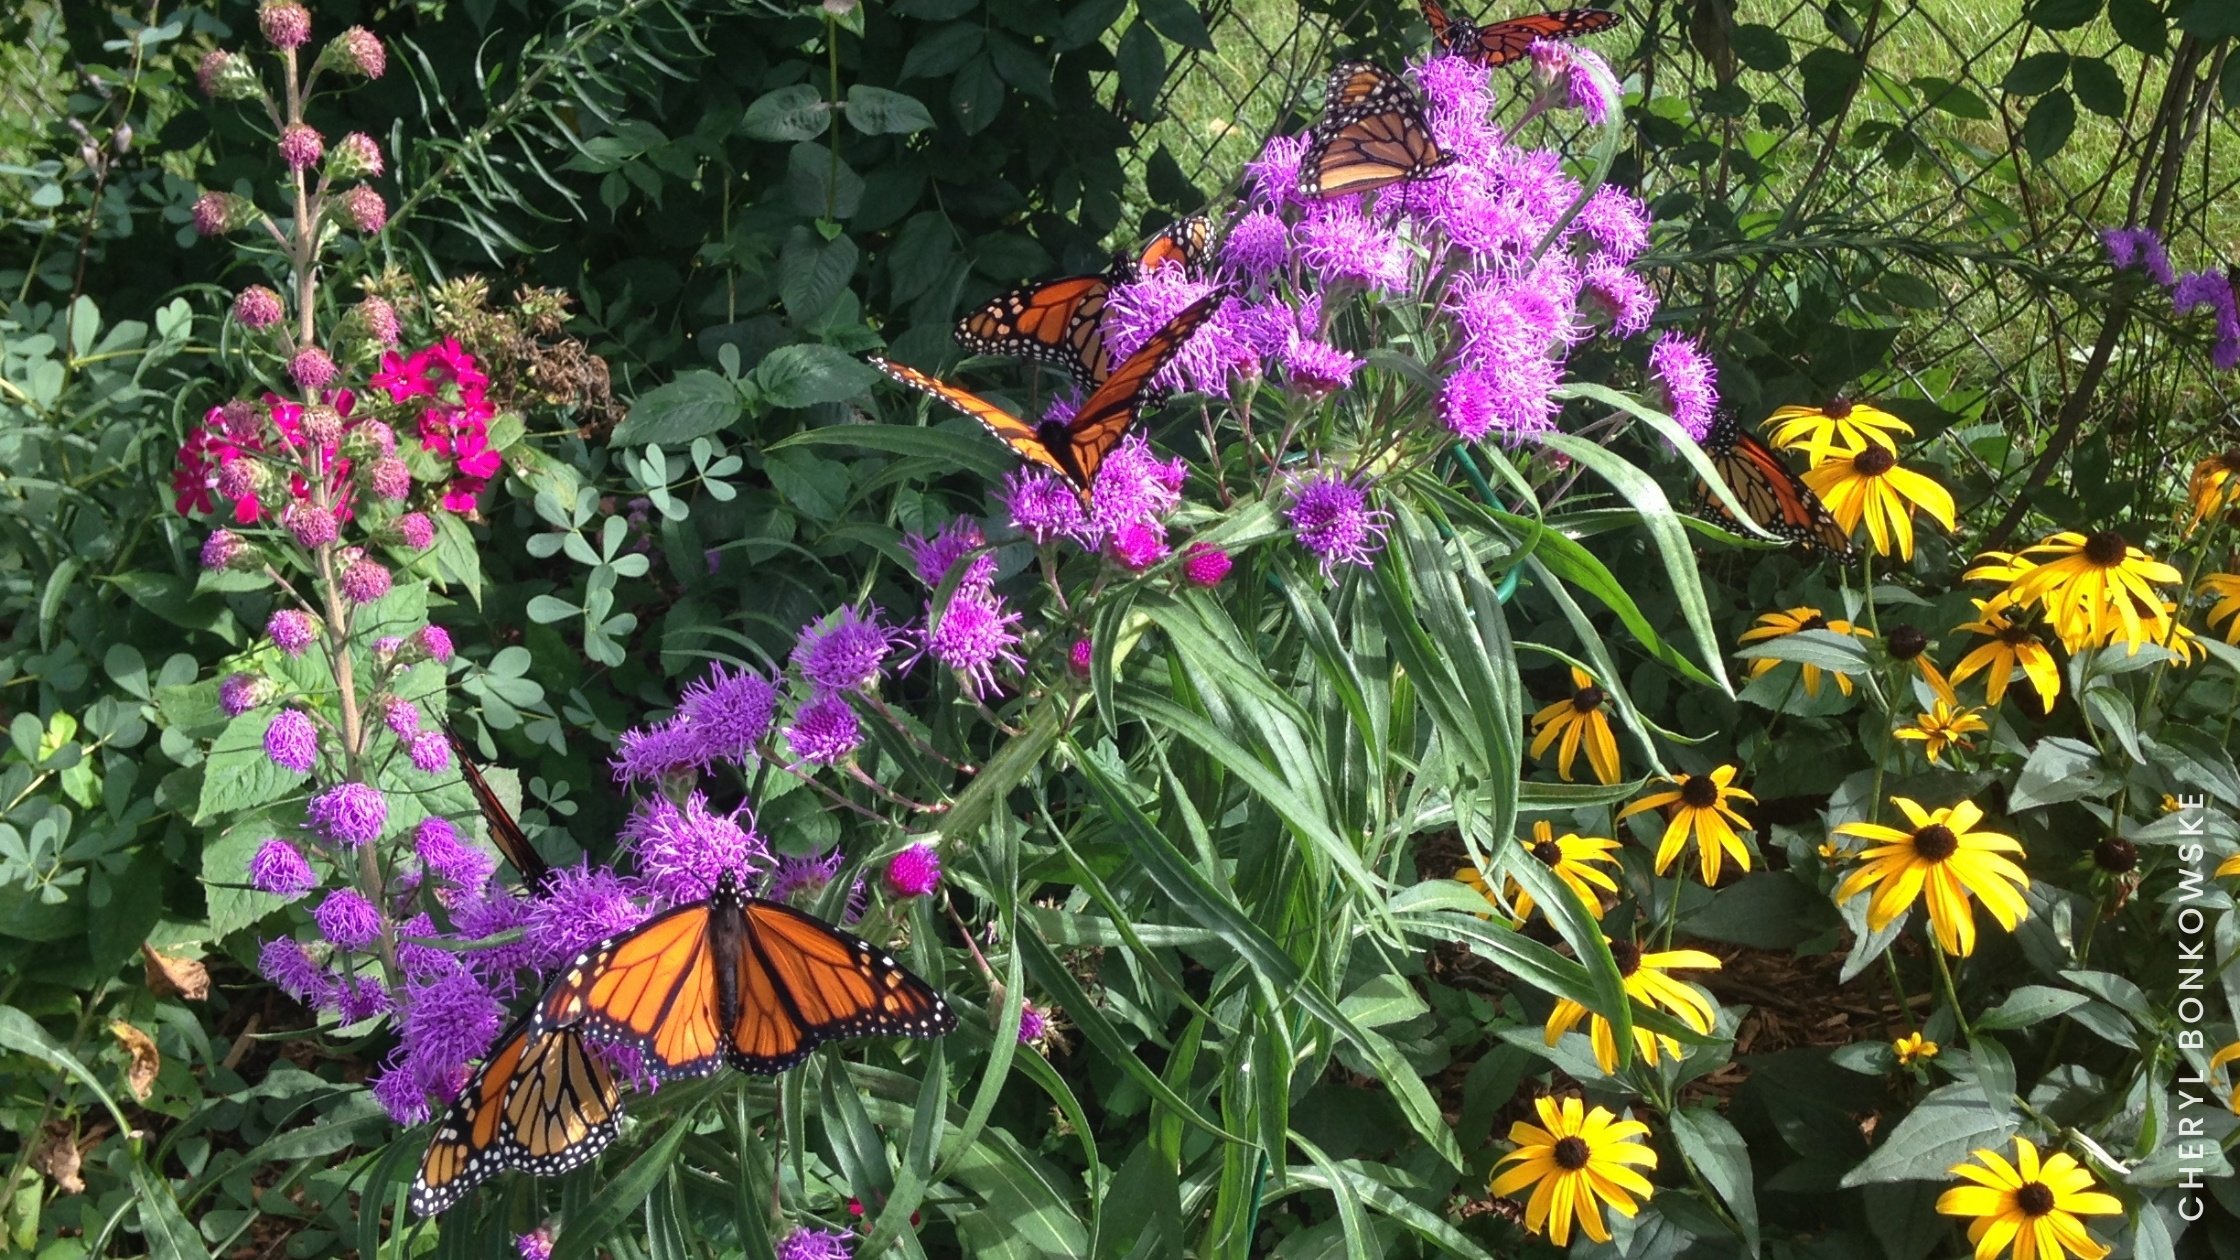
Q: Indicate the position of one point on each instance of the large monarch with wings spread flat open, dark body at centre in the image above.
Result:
(738, 981)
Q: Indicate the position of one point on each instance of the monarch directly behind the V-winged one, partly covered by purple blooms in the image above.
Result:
(1063, 322)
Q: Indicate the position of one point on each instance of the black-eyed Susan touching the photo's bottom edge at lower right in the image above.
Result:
(2031, 1205)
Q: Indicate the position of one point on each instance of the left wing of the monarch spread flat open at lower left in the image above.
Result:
(653, 990)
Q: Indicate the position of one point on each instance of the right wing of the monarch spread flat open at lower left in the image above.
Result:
(803, 983)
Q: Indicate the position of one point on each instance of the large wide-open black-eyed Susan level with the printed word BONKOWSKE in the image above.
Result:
(1943, 862)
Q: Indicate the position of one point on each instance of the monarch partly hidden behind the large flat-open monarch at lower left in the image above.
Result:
(539, 1104)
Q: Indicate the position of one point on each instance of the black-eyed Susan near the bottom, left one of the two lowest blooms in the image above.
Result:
(1576, 1160)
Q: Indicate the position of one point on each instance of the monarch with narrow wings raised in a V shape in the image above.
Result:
(1074, 450)
